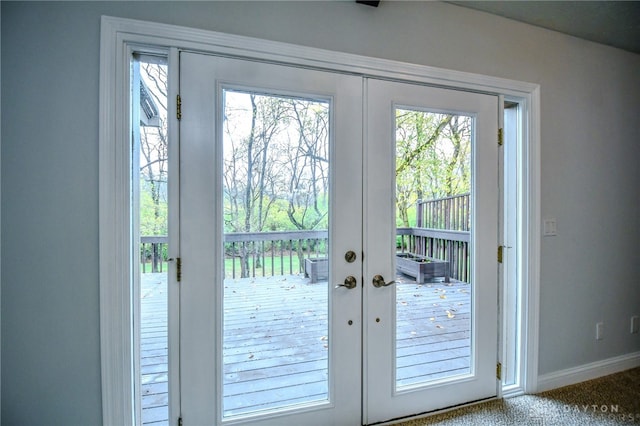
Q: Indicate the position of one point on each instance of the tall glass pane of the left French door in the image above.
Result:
(275, 304)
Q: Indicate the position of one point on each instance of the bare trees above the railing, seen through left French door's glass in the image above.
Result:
(275, 149)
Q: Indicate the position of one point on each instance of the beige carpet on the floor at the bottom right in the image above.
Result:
(611, 400)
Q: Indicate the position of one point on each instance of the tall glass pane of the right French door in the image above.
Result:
(433, 217)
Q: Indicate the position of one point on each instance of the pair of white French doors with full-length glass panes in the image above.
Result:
(291, 307)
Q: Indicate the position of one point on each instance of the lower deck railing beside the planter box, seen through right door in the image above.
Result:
(442, 244)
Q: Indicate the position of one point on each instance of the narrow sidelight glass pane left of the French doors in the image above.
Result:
(150, 150)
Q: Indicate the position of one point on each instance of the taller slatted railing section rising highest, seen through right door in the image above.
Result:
(452, 213)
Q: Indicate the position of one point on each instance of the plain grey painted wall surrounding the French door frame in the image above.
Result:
(49, 230)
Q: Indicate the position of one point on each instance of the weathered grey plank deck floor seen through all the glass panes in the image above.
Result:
(276, 340)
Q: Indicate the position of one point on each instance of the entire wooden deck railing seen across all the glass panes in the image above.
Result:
(441, 232)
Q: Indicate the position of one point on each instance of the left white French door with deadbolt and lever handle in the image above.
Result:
(268, 348)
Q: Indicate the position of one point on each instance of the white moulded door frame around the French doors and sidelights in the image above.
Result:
(120, 37)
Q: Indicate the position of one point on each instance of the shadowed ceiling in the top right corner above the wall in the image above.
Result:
(614, 23)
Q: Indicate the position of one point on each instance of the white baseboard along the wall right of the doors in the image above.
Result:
(589, 371)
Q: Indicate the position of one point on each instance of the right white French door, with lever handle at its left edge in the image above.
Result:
(429, 346)
